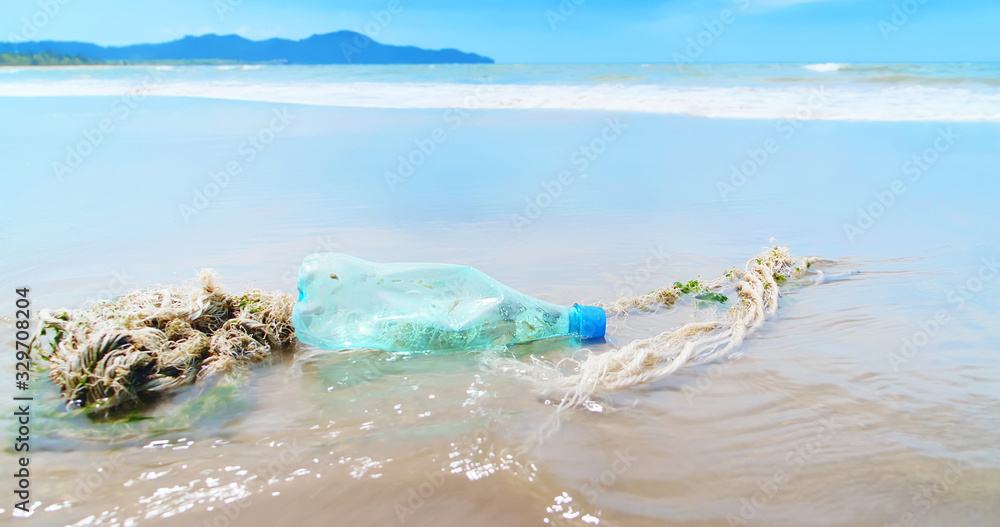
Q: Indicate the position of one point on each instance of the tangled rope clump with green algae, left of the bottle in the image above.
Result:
(126, 351)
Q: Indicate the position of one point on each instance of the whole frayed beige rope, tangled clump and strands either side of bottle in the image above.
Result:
(154, 340)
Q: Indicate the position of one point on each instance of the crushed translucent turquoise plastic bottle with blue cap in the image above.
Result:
(346, 302)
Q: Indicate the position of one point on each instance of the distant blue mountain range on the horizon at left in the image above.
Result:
(341, 47)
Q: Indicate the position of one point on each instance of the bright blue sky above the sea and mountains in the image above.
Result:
(553, 31)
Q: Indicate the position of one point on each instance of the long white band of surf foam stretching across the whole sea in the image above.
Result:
(850, 102)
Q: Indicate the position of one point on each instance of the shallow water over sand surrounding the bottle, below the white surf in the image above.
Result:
(824, 417)
